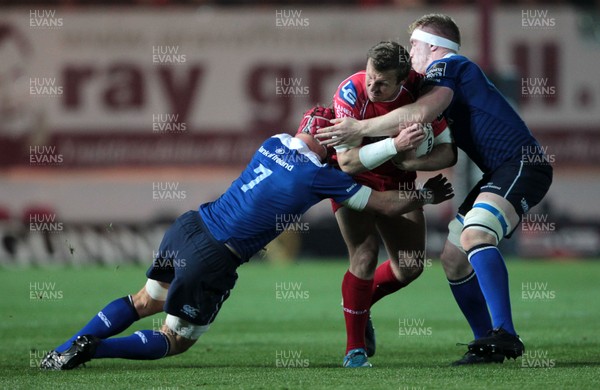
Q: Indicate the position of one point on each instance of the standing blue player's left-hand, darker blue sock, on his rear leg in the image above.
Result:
(472, 303)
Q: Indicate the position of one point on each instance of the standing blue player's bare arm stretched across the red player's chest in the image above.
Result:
(424, 110)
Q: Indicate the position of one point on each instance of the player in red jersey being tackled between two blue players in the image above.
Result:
(382, 163)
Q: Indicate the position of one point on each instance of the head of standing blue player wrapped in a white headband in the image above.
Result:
(432, 37)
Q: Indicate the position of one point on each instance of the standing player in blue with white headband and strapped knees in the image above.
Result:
(516, 176)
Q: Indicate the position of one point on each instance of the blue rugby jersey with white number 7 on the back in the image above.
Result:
(281, 182)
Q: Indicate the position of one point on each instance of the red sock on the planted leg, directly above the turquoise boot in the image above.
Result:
(356, 294)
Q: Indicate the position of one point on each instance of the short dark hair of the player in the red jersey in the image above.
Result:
(389, 55)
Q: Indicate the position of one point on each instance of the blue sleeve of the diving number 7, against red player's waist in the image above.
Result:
(330, 182)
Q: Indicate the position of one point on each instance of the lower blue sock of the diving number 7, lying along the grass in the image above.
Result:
(142, 345)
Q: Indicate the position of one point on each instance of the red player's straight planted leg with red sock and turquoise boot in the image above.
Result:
(360, 236)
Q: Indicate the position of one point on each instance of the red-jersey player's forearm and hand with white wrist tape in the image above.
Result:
(369, 157)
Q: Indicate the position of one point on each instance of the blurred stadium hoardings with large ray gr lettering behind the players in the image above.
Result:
(115, 117)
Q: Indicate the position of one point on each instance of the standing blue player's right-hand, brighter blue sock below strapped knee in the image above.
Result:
(493, 279)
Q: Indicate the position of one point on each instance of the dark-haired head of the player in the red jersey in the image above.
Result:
(388, 65)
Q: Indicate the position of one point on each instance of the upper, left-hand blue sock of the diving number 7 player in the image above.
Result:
(113, 319)
